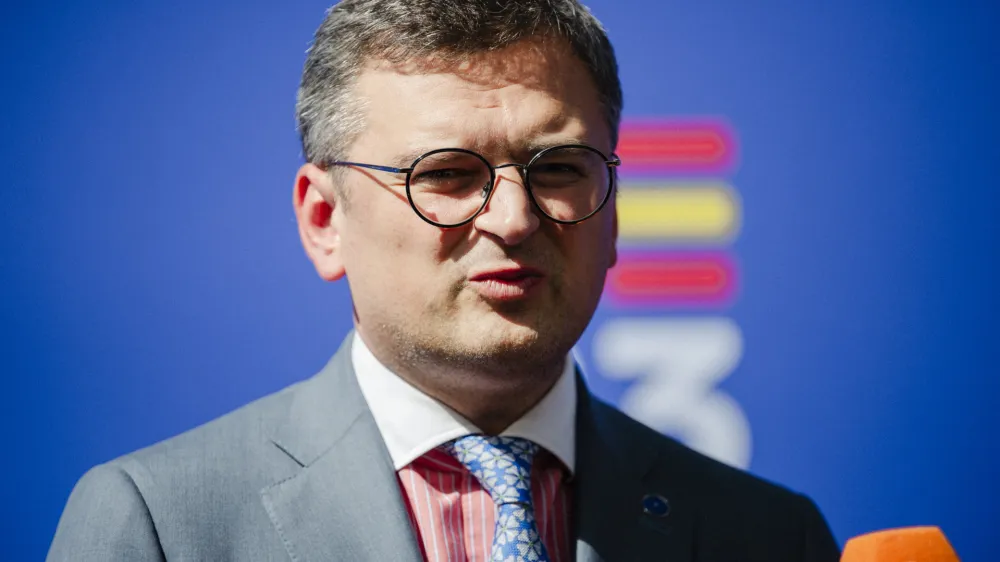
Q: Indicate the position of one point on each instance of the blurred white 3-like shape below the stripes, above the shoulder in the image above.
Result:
(678, 364)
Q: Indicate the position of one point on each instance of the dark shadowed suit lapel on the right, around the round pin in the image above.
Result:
(615, 462)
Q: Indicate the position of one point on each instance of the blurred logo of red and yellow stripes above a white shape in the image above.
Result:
(676, 276)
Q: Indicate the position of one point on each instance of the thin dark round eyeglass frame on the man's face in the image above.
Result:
(611, 162)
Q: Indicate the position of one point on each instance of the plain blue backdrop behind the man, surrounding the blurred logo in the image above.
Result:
(153, 278)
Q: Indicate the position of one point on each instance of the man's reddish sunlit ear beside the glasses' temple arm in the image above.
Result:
(315, 202)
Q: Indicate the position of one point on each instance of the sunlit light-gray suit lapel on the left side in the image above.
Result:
(345, 502)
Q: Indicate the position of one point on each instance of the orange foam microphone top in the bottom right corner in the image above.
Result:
(909, 544)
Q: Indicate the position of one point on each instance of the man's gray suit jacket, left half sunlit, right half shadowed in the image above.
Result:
(303, 475)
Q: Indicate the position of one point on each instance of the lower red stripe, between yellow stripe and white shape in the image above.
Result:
(672, 279)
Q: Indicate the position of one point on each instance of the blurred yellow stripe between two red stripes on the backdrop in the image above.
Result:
(686, 211)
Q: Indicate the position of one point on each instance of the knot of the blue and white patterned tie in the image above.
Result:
(501, 464)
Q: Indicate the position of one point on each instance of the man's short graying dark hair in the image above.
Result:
(357, 31)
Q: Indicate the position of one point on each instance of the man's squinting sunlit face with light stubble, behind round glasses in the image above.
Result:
(511, 286)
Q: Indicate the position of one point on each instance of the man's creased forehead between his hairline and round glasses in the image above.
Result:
(529, 94)
